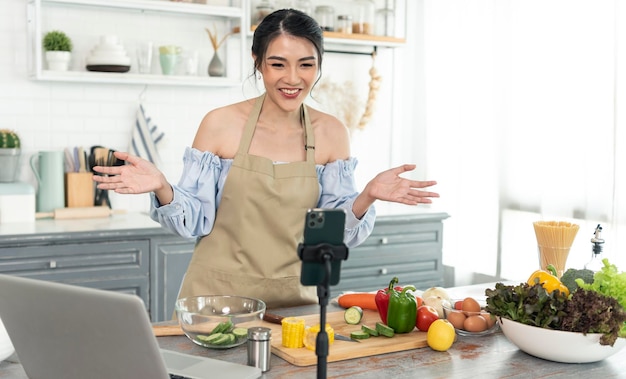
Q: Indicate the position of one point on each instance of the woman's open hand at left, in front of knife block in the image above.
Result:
(136, 176)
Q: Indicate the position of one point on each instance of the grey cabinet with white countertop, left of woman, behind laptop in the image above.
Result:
(124, 253)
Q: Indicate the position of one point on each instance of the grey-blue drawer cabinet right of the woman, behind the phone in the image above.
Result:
(405, 246)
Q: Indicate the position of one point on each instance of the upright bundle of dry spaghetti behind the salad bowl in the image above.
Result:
(555, 239)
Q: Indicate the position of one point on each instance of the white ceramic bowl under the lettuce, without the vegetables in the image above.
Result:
(557, 345)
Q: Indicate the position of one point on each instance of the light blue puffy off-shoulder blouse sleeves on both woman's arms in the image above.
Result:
(198, 194)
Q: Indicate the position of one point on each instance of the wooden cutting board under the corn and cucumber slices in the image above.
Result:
(343, 350)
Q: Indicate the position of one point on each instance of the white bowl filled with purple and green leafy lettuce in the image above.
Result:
(585, 324)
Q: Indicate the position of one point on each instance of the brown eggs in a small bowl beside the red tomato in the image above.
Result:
(467, 323)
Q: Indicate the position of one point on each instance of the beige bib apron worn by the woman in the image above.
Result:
(252, 249)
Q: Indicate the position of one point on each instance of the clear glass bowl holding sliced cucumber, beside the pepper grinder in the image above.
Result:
(219, 322)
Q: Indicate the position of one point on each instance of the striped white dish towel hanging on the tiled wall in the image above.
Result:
(145, 138)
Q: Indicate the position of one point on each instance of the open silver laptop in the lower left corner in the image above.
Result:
(66, 331)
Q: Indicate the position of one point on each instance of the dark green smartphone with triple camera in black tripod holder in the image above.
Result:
(322, 226)
